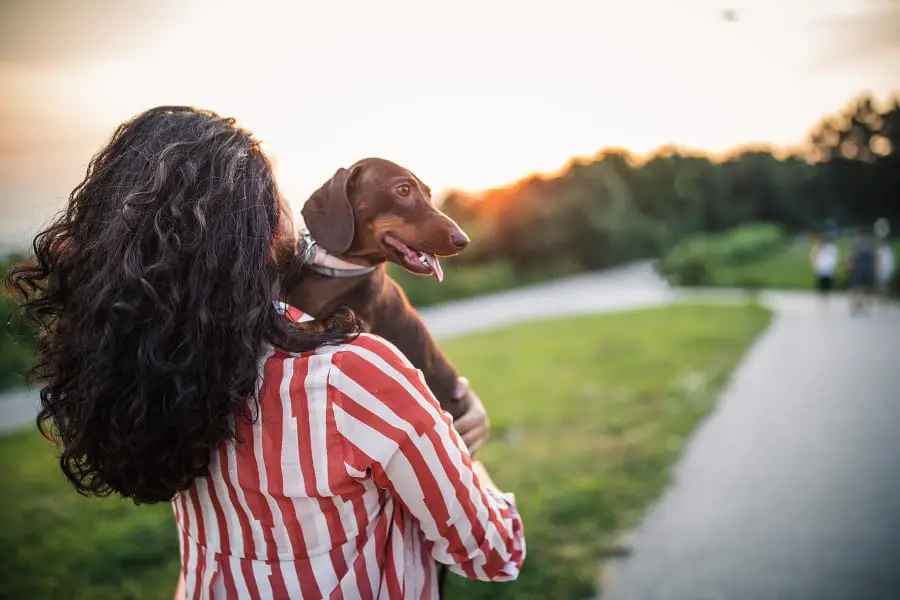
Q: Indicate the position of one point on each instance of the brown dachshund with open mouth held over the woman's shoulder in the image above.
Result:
(374, 212)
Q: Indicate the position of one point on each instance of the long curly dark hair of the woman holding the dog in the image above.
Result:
(154, 290)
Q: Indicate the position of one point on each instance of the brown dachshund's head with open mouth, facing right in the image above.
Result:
(376, 211)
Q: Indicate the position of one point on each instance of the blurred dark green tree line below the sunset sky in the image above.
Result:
(616, 207)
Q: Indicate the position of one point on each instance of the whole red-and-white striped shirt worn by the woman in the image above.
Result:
(350, 483)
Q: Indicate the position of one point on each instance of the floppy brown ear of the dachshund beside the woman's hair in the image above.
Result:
(329, 215)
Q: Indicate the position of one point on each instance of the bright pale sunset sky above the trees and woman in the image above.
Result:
(468, 94)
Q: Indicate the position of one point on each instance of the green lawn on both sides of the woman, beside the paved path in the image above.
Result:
(588, 415)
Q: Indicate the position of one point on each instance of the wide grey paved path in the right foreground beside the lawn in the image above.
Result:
(791, 488)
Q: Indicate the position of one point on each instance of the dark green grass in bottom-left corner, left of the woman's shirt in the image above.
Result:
(60, 545)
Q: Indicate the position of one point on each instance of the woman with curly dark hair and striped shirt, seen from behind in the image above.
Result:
(302, 460)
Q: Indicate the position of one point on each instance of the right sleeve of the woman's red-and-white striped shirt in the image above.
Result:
(393, 428)
